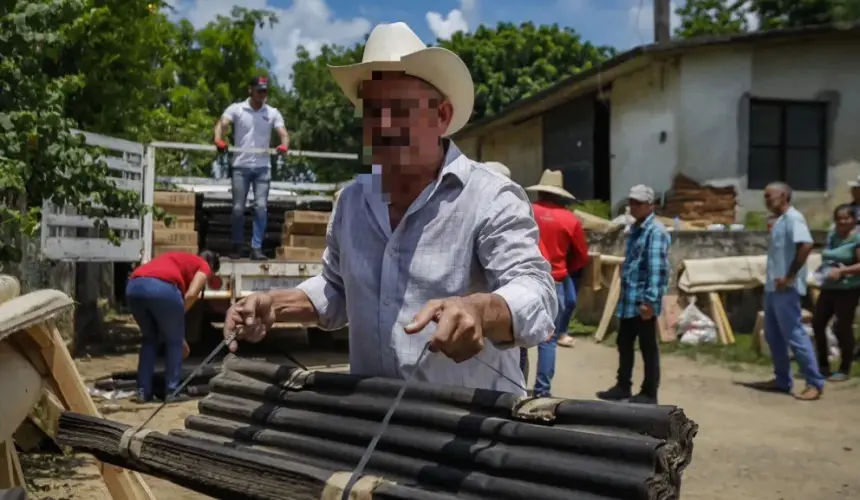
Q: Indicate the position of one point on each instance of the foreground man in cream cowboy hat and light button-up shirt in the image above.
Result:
(432, 248)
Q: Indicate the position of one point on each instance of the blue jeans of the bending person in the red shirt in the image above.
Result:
(159, 310)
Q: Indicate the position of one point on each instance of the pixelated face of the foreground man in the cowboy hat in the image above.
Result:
(403, 120)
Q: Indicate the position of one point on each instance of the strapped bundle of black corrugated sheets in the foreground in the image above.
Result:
(270, 431)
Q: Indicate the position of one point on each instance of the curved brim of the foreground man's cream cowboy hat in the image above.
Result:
(437, 66)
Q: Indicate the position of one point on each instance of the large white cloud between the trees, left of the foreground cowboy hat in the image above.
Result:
(309, 23)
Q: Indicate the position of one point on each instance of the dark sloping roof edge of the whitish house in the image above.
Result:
(636, 58)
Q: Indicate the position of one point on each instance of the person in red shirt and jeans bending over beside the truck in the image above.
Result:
(158, 294)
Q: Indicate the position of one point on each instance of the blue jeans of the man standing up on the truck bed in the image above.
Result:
(245, 178)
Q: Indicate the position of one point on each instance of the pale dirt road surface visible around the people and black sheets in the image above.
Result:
(751, 446)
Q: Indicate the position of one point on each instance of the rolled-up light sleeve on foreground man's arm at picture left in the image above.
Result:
(325, 290)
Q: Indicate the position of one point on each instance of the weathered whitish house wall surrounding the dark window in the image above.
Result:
(690, 115)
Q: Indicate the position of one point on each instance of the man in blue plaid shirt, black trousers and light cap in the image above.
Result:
(644, 278)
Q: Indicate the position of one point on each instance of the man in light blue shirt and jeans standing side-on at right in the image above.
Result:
(785, 283)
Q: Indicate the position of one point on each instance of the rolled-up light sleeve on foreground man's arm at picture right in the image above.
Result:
(507, 248)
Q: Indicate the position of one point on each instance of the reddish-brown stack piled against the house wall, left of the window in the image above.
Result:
(689, 200)
